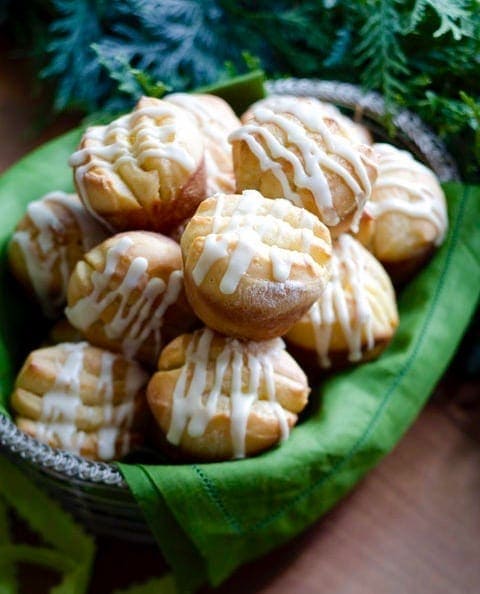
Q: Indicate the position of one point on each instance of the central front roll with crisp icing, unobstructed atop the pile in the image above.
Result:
(252, 265)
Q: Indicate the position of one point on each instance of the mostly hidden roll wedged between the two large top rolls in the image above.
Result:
(216, 121)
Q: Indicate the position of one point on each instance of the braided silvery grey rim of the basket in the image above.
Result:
(368, 108)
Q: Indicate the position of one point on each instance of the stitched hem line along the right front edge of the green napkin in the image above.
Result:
(209, 485)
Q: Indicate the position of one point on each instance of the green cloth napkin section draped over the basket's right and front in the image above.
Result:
(211, 518)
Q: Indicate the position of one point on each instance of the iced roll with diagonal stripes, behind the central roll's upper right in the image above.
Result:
(291, 148)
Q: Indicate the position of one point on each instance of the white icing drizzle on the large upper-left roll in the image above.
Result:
(110, 147)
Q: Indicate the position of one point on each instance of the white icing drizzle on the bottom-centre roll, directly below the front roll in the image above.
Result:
(195, 404)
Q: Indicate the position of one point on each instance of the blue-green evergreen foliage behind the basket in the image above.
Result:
(420, 54)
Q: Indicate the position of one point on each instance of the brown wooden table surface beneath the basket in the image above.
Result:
(411, 527)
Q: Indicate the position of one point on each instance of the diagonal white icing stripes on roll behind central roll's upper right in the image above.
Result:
(309, 160)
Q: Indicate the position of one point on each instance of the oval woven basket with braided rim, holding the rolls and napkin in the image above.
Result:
(95, 492)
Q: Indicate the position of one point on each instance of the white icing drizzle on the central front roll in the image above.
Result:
(247, 232)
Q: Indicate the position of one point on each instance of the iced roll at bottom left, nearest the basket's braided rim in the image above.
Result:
(82, 399)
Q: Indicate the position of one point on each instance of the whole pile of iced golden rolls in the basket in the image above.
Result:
(208, 268)
